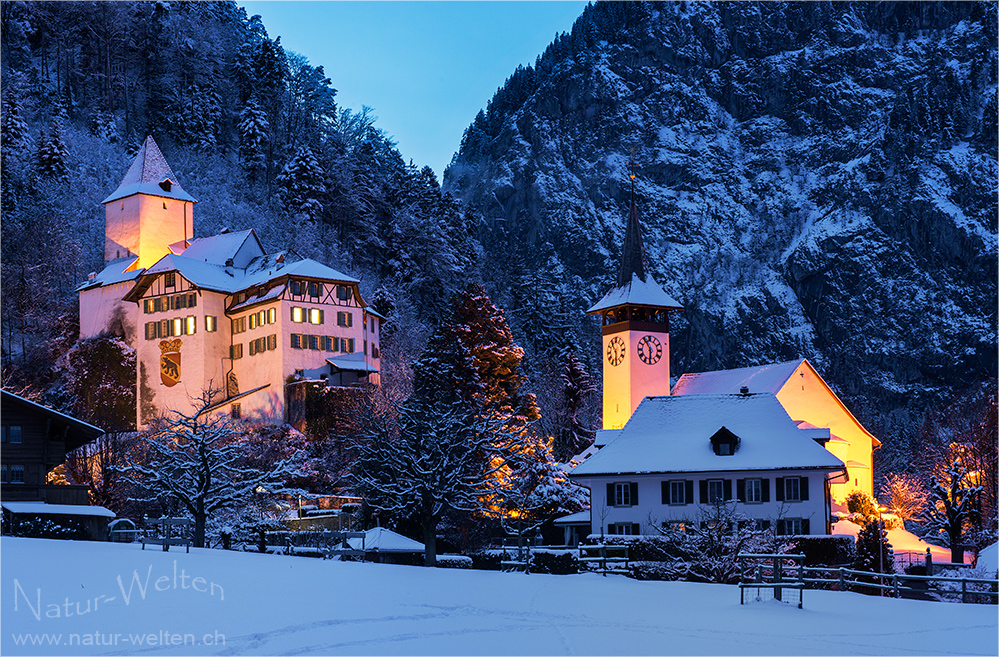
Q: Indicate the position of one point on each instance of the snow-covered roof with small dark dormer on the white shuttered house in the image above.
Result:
(672, 434)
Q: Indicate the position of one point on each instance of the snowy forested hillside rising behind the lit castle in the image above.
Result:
(254, 133)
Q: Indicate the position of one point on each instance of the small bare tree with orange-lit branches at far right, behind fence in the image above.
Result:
(953, 504)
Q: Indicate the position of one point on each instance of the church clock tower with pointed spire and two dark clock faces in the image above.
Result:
(635, 327)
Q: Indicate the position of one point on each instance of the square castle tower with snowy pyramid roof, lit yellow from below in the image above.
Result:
(149, 215)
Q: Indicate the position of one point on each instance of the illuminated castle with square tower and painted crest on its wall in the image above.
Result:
(219, 312)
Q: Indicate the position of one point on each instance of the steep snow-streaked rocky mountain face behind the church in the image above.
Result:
(814, 179)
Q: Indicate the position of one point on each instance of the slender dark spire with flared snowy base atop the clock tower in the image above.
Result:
(635, 286)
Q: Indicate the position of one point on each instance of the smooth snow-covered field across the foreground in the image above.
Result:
(214, 602)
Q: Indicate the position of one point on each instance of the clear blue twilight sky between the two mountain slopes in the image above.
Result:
(425, 68)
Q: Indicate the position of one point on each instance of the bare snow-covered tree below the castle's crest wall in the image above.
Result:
(197, 461)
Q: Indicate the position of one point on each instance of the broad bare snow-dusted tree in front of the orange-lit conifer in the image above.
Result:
(425, 459)
